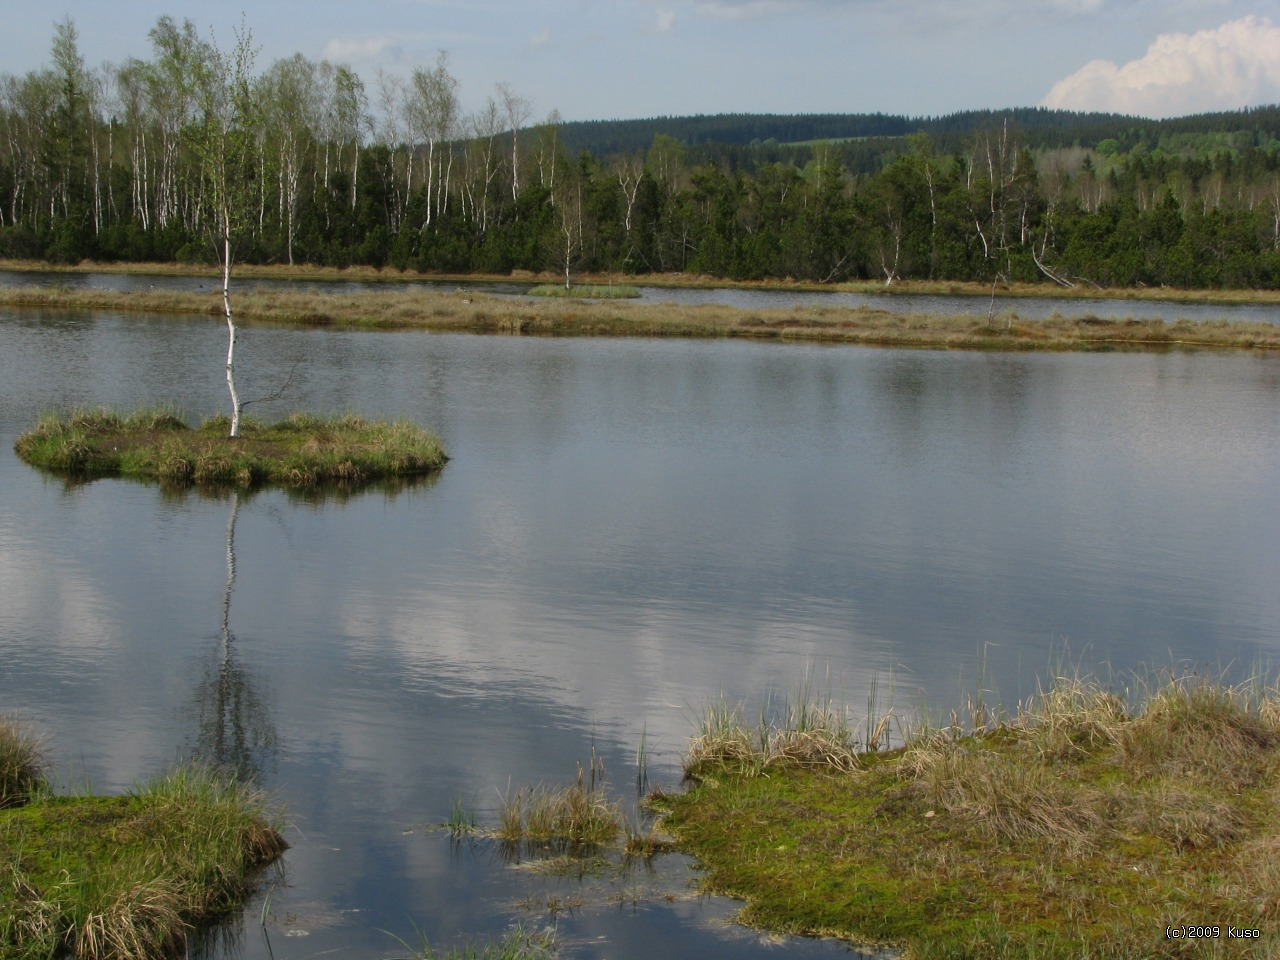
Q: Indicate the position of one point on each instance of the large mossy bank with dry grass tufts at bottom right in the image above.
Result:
(1077, 829)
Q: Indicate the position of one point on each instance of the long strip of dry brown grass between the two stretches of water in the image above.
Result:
(464, 312)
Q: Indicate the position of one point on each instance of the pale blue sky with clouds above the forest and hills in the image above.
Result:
(621, 60)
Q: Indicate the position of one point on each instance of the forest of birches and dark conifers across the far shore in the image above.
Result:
(112, 164)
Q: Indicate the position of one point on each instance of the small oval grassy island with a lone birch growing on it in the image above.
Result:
(300, 452)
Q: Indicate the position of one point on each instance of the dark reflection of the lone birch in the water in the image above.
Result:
(235, 730)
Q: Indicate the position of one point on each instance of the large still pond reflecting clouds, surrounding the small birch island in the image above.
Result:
(628, 531)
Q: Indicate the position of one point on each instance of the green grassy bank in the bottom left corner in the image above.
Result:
(97, 877)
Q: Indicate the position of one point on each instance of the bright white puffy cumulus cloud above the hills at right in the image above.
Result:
(1232, 67)
